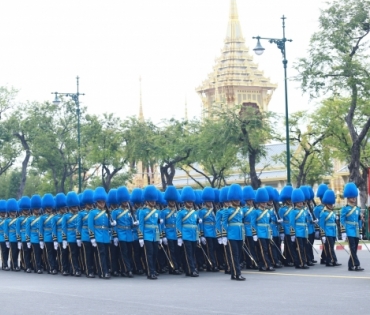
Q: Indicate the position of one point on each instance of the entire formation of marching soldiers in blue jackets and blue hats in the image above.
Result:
(188, 231)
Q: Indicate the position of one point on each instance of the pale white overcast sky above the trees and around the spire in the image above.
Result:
(170, 44)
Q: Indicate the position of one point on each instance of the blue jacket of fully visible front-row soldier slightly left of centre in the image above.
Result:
(149, 225)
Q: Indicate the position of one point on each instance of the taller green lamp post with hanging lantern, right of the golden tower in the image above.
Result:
(281, 45)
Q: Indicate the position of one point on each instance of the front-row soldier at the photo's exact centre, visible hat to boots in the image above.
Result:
(187, 230)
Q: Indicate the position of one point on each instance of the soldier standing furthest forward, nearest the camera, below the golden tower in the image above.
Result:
(232, 223)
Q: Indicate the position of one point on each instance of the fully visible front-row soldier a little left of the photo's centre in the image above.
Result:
(150, 230)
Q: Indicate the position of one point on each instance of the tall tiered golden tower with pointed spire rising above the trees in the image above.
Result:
(235, 78)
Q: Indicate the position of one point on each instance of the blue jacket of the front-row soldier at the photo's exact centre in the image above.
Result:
(187, 225)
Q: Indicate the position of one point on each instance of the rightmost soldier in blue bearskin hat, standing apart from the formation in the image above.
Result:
(351, 225)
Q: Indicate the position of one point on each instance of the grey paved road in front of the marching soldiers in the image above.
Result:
(320, 290)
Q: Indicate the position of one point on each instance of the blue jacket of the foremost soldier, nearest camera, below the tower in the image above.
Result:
(232, 223)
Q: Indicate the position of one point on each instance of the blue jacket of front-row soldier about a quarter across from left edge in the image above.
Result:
(99, 225)
